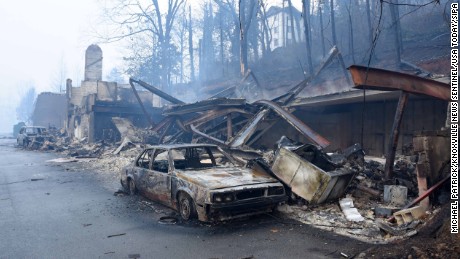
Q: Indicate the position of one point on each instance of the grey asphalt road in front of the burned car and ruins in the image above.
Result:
(60, 211)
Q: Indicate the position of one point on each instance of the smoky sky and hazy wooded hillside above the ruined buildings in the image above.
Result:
(200, 50)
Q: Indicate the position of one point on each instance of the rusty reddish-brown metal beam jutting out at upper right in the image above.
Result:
(385, 80)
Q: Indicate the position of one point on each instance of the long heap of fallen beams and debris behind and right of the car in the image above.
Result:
(346, 191)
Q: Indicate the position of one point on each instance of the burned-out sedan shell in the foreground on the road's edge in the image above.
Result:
(201, 180)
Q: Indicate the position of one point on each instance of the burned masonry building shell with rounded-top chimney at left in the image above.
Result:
(94, 103)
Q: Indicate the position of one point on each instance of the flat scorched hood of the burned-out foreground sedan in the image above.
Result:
(223, 177)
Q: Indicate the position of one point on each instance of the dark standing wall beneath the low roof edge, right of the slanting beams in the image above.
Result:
(342, 124)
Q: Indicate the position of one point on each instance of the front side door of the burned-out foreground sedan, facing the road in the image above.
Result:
(158, 179)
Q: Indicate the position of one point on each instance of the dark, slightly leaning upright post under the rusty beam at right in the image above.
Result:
(391, 152)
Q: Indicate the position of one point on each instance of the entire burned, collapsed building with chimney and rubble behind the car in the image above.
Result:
(329, 132)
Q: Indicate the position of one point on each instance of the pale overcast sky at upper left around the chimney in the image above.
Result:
(41, 38)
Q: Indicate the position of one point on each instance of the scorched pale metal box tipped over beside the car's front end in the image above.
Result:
(309, 181)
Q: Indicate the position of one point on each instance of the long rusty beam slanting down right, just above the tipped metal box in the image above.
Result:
(296, 123)
